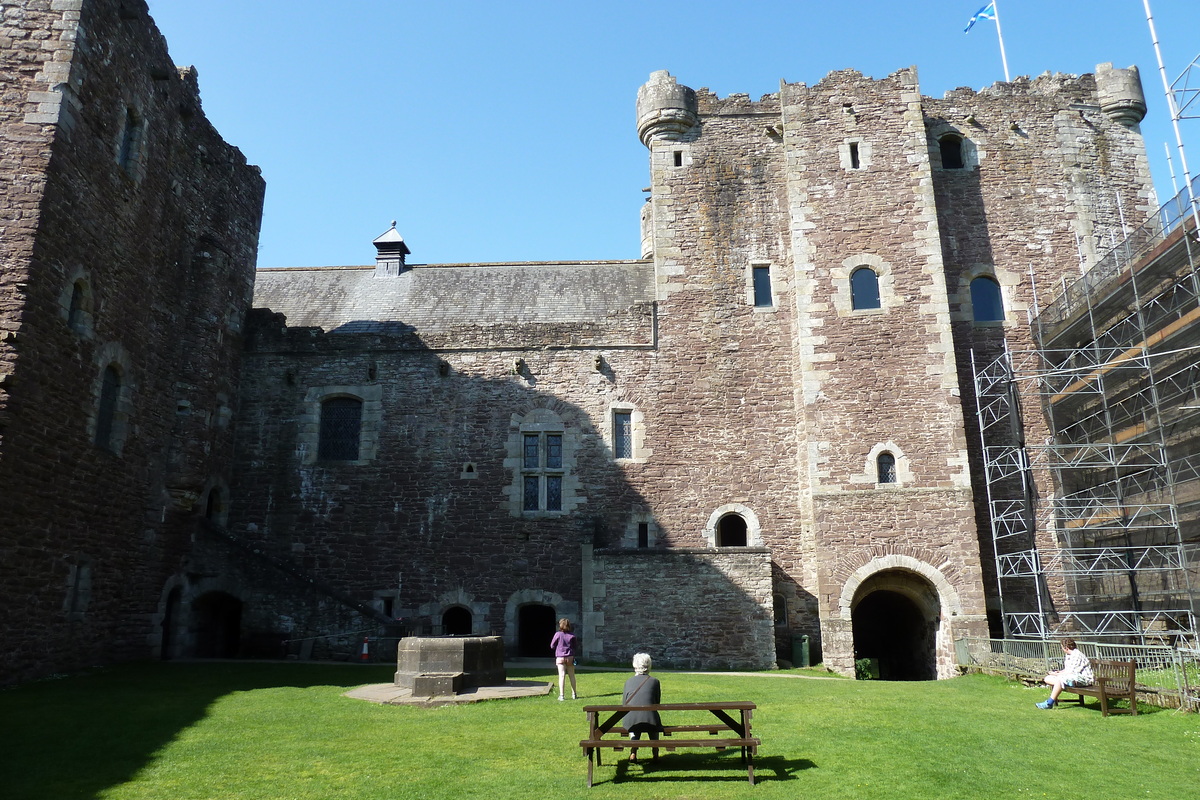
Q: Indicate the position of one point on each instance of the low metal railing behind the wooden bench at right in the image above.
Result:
(1167, 677)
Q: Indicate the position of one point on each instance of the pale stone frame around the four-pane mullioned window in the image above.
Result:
(543, 422)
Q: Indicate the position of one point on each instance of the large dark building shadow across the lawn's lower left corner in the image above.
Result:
(80, 737)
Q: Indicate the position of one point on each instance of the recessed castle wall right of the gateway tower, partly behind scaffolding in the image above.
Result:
(1053, 183)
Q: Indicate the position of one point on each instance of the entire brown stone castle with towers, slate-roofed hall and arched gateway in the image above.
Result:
(761, 432)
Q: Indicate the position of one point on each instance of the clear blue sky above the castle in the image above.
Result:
(505, 131)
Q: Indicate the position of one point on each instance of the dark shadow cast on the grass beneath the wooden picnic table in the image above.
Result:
(699, 767)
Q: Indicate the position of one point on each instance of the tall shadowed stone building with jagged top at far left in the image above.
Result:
(137, 257)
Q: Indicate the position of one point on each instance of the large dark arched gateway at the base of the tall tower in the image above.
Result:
(896, 617)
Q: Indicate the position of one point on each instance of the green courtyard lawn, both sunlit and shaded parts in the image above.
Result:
(208, 731)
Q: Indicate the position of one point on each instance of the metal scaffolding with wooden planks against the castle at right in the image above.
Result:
(1096, 528)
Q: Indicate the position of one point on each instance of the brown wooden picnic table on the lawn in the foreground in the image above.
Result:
(725, 724)
